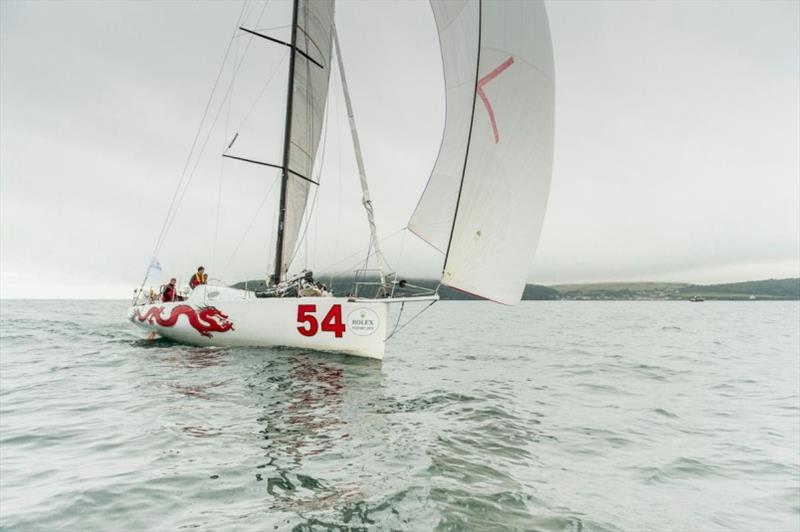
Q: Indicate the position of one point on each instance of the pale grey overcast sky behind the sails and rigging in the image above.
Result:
(677, 150)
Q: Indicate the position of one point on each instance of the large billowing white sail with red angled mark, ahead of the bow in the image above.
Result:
(484, 204)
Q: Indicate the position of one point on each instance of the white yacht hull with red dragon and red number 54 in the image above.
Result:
(221, 316)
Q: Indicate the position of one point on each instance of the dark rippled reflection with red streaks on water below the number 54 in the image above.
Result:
(311, 409)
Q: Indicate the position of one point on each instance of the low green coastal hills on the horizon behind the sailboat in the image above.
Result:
(769, 289)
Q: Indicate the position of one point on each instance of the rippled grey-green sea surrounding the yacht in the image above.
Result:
(549, 416)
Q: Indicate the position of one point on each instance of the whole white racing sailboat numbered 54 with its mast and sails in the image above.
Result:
(482, 208)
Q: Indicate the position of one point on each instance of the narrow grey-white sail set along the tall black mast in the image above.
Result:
(314, 32)
